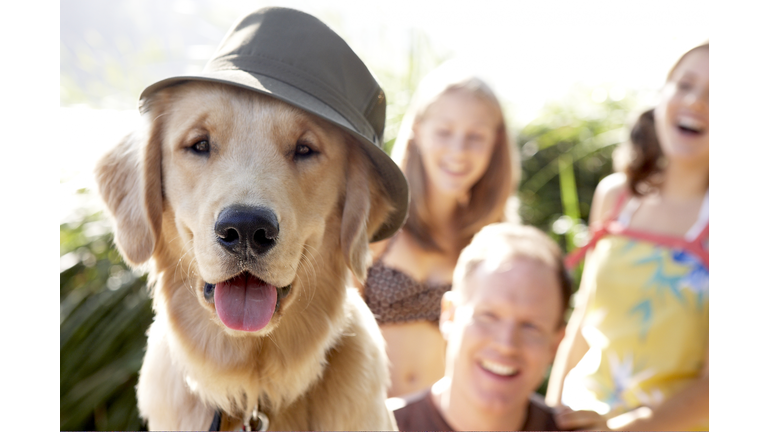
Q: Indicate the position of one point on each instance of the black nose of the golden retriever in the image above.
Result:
(241, 228)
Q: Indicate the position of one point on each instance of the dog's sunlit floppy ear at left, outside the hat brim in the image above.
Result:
(129, 181)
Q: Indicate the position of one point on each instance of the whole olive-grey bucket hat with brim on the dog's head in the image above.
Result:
(294, 57)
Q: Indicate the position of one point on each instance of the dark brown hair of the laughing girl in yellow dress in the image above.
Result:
(641, 159)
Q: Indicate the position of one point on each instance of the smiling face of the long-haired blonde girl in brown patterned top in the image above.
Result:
(455, 137)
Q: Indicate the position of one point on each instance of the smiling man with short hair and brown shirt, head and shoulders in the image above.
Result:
(503, 322)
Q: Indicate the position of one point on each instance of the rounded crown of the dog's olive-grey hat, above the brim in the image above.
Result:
(295, 47)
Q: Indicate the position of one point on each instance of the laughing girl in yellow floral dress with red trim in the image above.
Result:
(635, 355)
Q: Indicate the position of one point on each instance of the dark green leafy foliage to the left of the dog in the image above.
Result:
(105, 312)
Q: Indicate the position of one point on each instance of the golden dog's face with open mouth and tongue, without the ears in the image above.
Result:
(252, 182)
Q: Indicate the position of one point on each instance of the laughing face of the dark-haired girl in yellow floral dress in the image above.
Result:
(682, 116)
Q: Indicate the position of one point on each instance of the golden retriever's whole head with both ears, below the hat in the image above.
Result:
(242, 196)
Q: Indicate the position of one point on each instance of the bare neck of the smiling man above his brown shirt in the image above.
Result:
(461, 414)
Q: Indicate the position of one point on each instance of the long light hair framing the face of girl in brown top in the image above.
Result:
(491, 198)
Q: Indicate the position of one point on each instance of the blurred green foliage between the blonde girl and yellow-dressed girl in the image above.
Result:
(566, 151)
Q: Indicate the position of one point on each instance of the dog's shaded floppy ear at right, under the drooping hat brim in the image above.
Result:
(366, 207)
